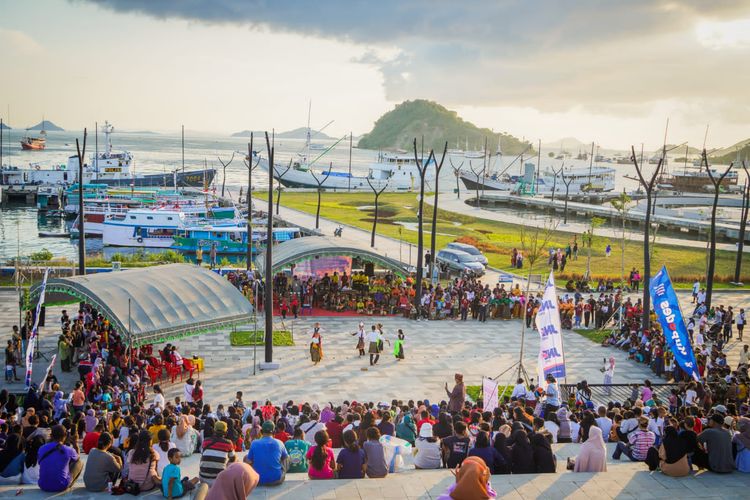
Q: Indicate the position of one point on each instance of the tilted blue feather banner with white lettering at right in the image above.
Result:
(673, 328)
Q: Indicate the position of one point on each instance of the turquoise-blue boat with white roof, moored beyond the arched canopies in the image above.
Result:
(229, 239)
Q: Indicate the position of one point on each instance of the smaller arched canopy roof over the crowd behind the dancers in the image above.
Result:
(302, 249)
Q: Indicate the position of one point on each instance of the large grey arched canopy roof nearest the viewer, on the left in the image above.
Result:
(156, 304)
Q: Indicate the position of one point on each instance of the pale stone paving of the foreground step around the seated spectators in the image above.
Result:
(623, 480)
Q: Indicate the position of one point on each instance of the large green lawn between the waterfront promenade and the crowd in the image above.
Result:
(497, 239)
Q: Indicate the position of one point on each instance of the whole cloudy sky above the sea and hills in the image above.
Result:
(608, 71)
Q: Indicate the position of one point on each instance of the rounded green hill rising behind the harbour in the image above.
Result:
(397, 129)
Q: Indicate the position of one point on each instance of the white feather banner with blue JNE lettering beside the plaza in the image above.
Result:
(551, 356)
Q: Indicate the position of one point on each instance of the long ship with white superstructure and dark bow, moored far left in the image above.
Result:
(113, 168)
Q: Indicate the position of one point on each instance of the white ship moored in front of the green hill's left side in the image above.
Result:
(398, 170)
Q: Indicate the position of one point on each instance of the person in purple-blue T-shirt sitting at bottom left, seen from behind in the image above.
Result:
(59, 464)
